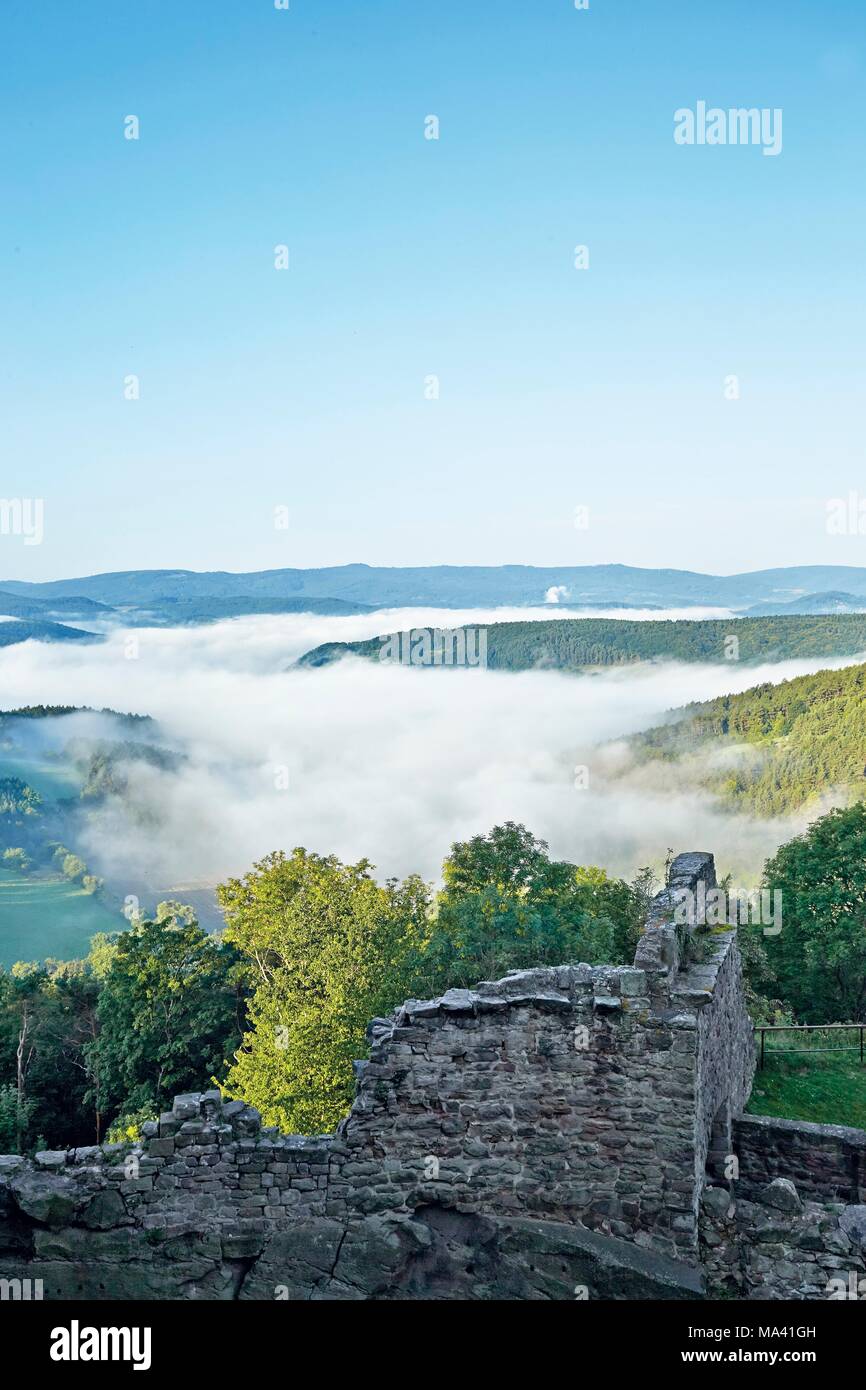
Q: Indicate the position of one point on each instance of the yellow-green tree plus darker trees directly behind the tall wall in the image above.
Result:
(329, 949)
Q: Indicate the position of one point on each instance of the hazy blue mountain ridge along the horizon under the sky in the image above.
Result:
(452, 586)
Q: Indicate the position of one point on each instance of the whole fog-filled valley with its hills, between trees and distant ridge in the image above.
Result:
(162, 808)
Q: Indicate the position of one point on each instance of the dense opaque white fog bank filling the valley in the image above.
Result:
(368, 760)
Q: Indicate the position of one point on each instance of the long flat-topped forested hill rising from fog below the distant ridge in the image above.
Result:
(572, 644)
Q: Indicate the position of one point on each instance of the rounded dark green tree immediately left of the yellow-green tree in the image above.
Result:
(170, 1013)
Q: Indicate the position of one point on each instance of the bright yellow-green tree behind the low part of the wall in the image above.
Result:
(327, 950)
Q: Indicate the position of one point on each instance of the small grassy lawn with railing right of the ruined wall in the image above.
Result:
(826, 1090)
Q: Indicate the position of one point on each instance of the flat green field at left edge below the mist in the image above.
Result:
(48, 918)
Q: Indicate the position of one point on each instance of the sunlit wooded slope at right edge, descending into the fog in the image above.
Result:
(800, 740)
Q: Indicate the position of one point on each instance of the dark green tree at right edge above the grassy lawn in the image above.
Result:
(819, 958)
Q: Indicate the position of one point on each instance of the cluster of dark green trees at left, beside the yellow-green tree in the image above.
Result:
(152, 1013)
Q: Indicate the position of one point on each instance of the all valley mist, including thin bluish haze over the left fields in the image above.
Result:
(248, 750)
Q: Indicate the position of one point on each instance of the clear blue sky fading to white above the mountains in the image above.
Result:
(414, 258)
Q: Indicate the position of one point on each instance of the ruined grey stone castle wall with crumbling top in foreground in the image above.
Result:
(559, 1134)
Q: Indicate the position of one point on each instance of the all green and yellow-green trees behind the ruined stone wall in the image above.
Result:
(276, 1010)
